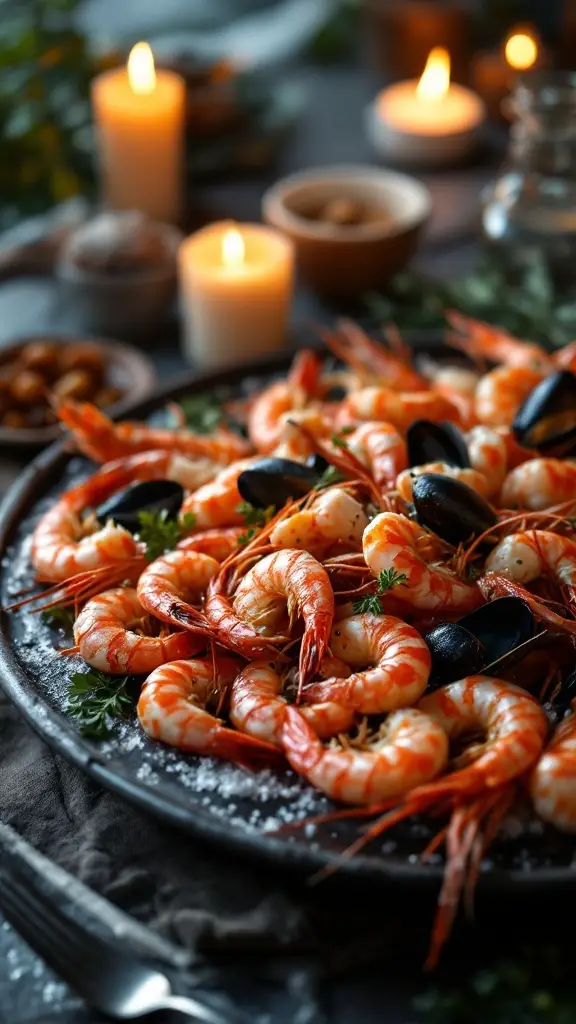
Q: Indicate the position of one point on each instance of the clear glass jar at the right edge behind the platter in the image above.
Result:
(532, 204)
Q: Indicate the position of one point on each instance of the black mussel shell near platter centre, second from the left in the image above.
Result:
(274, 482)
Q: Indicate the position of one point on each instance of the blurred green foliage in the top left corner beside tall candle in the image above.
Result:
(46, 72)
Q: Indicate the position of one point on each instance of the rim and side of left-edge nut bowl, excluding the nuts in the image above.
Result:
(128, 370)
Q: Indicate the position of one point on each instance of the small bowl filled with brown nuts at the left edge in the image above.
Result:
(36, 371)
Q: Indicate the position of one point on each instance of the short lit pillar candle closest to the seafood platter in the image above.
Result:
(236, 287)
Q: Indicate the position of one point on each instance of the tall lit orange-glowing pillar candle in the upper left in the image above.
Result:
(140, 121)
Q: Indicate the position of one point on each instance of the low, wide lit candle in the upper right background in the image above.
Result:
(429, 121)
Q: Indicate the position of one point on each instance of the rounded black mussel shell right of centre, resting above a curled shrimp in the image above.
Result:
(450, 508)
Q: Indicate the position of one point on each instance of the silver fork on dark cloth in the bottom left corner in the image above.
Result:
(108, 978)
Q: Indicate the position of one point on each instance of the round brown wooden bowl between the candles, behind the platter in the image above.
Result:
(345, 262)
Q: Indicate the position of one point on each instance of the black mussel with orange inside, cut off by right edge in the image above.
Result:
(547, 421)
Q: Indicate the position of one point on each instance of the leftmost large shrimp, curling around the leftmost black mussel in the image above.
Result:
(65, 544)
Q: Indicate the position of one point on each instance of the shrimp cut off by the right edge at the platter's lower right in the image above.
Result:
(553, 783)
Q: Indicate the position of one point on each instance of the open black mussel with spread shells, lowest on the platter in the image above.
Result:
(485, 639)
